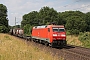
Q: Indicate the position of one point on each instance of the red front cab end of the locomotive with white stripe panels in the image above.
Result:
(58, 36)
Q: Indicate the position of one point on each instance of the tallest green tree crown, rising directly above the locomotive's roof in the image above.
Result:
(47, 15)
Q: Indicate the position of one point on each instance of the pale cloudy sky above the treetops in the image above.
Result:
(17, 8)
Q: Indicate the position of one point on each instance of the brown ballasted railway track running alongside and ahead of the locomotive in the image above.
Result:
(67, 53)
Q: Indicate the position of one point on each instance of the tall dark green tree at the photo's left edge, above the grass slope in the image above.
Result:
(3, 17)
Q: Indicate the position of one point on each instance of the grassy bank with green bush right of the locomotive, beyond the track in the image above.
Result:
(83, 39)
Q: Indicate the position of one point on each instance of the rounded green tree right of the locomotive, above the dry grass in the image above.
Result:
(75, 24)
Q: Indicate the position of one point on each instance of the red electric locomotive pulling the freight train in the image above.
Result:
(53, 35)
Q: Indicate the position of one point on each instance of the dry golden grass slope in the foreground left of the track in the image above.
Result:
(12, 48)
